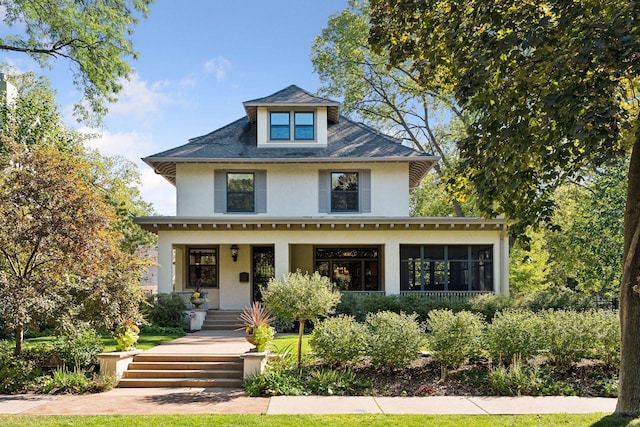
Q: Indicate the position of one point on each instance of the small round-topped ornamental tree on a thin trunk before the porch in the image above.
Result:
(300, 297)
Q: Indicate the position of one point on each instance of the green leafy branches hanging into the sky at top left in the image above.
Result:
(93, 35)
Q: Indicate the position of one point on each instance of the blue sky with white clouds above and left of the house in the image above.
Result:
(199, 60)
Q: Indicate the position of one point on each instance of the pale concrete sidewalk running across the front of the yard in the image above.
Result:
(234, 401)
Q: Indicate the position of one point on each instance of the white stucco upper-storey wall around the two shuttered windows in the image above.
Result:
(293, 189)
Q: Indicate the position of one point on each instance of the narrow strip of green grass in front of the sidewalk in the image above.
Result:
(600, 420)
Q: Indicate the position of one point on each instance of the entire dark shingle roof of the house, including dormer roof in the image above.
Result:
(347, 141)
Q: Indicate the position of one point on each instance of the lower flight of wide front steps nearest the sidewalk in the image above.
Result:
(183, 370)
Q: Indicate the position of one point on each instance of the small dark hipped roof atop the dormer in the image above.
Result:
(293, 96)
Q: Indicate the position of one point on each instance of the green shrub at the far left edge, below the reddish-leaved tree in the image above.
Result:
(16, 373)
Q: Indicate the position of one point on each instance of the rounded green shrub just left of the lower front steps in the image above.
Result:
(79, 348)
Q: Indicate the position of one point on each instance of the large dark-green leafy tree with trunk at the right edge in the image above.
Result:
(551, 87)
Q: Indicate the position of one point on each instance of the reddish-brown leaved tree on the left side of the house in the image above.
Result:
(60, 257)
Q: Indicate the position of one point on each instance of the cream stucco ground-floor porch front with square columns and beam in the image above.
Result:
(234, 294)
